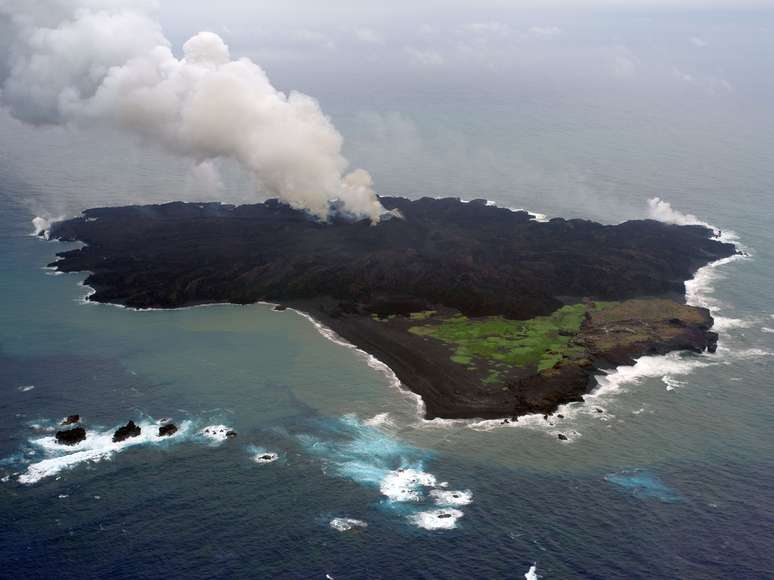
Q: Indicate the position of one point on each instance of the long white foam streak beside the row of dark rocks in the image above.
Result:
(96, 447)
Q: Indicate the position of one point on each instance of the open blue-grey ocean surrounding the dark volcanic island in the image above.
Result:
(672, 480)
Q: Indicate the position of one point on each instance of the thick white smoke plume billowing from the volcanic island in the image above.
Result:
(107, 62)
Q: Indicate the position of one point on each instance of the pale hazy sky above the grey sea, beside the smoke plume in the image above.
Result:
(711, 47)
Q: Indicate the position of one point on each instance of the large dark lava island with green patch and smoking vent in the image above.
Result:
(482, 311)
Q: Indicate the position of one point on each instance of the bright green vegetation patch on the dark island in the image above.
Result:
(542, 341)
